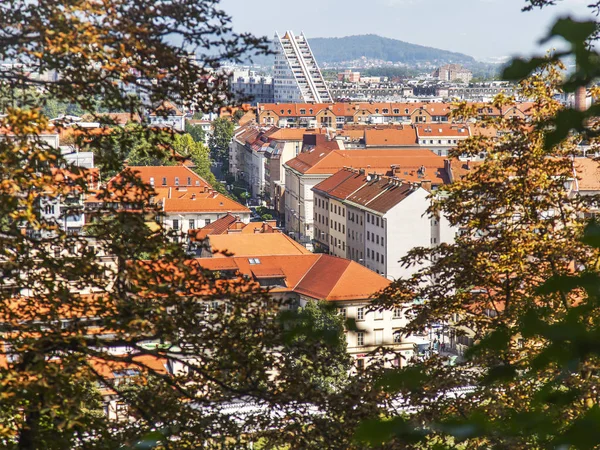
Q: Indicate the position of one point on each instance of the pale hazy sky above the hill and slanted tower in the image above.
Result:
(480, 28)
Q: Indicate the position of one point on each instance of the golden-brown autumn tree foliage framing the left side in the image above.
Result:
(76, 308)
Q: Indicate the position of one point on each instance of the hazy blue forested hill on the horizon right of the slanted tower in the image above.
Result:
(336, 50)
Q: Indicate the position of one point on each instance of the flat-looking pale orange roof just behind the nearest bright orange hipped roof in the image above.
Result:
(256, 244)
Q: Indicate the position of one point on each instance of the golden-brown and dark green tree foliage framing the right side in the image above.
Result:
(521, 278)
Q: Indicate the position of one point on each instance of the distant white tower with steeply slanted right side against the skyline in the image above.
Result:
(297, 78)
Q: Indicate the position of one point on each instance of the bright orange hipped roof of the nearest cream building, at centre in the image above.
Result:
(318, 276)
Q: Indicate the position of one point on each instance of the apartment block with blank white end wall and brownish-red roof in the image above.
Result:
(381, 219)
